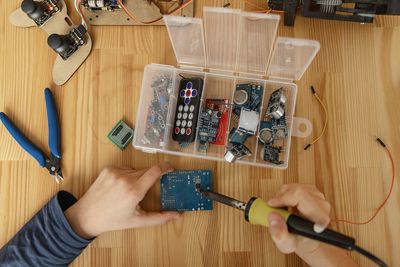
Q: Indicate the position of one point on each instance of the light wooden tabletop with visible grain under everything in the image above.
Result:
(356, 73)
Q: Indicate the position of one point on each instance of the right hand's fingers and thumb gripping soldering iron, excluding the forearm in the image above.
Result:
(306, 201)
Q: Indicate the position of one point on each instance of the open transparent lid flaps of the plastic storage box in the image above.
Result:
(233, 41)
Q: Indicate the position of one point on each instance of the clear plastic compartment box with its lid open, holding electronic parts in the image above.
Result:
(229, 49)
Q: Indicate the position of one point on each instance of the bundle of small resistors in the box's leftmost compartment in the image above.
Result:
(158, 110)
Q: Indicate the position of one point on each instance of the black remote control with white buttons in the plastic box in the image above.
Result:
(187, 110)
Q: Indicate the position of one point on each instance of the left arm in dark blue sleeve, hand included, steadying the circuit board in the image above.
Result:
(62, 229)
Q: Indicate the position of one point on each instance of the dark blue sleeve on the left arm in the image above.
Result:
(47, 239)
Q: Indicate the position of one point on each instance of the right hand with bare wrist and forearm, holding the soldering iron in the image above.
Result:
(310, 203)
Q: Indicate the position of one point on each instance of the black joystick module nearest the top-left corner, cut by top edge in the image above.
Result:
(40, 12)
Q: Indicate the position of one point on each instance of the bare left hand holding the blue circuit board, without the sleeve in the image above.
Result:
(112, 202)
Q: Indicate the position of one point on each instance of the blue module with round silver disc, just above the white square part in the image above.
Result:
(247, 96)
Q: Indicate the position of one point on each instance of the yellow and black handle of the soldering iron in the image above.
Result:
(257, 211)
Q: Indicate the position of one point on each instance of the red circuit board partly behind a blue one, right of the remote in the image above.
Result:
(224, 107)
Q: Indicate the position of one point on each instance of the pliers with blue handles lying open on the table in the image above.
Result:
(52, 163)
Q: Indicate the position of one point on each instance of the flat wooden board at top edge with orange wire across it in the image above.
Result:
(140, 9)
